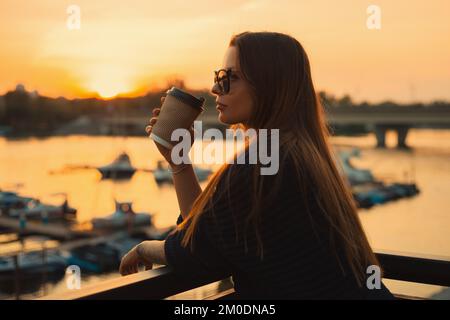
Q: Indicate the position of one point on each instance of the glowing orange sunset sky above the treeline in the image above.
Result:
(128, 47)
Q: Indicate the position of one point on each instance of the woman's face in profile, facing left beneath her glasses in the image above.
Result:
(237, 105)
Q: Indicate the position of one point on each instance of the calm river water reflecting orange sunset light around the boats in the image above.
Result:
(419, 225)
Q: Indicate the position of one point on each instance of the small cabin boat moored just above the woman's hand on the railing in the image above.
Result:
(122, 218)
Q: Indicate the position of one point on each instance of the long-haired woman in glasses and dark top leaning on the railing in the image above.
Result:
(293, 235)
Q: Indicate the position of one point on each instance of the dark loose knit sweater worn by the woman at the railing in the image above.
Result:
(298, 260)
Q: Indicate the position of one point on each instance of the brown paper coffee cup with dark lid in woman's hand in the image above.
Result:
(179, 110)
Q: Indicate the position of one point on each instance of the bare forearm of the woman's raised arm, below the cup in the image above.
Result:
(187, 187)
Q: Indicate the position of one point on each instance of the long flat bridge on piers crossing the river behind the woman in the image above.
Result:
(376, 119)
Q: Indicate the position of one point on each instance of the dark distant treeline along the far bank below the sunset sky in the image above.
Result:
(27, 113)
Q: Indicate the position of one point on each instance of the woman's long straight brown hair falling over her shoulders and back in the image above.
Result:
(277, 68)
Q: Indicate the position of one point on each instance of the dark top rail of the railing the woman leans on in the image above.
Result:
(164, 282)
